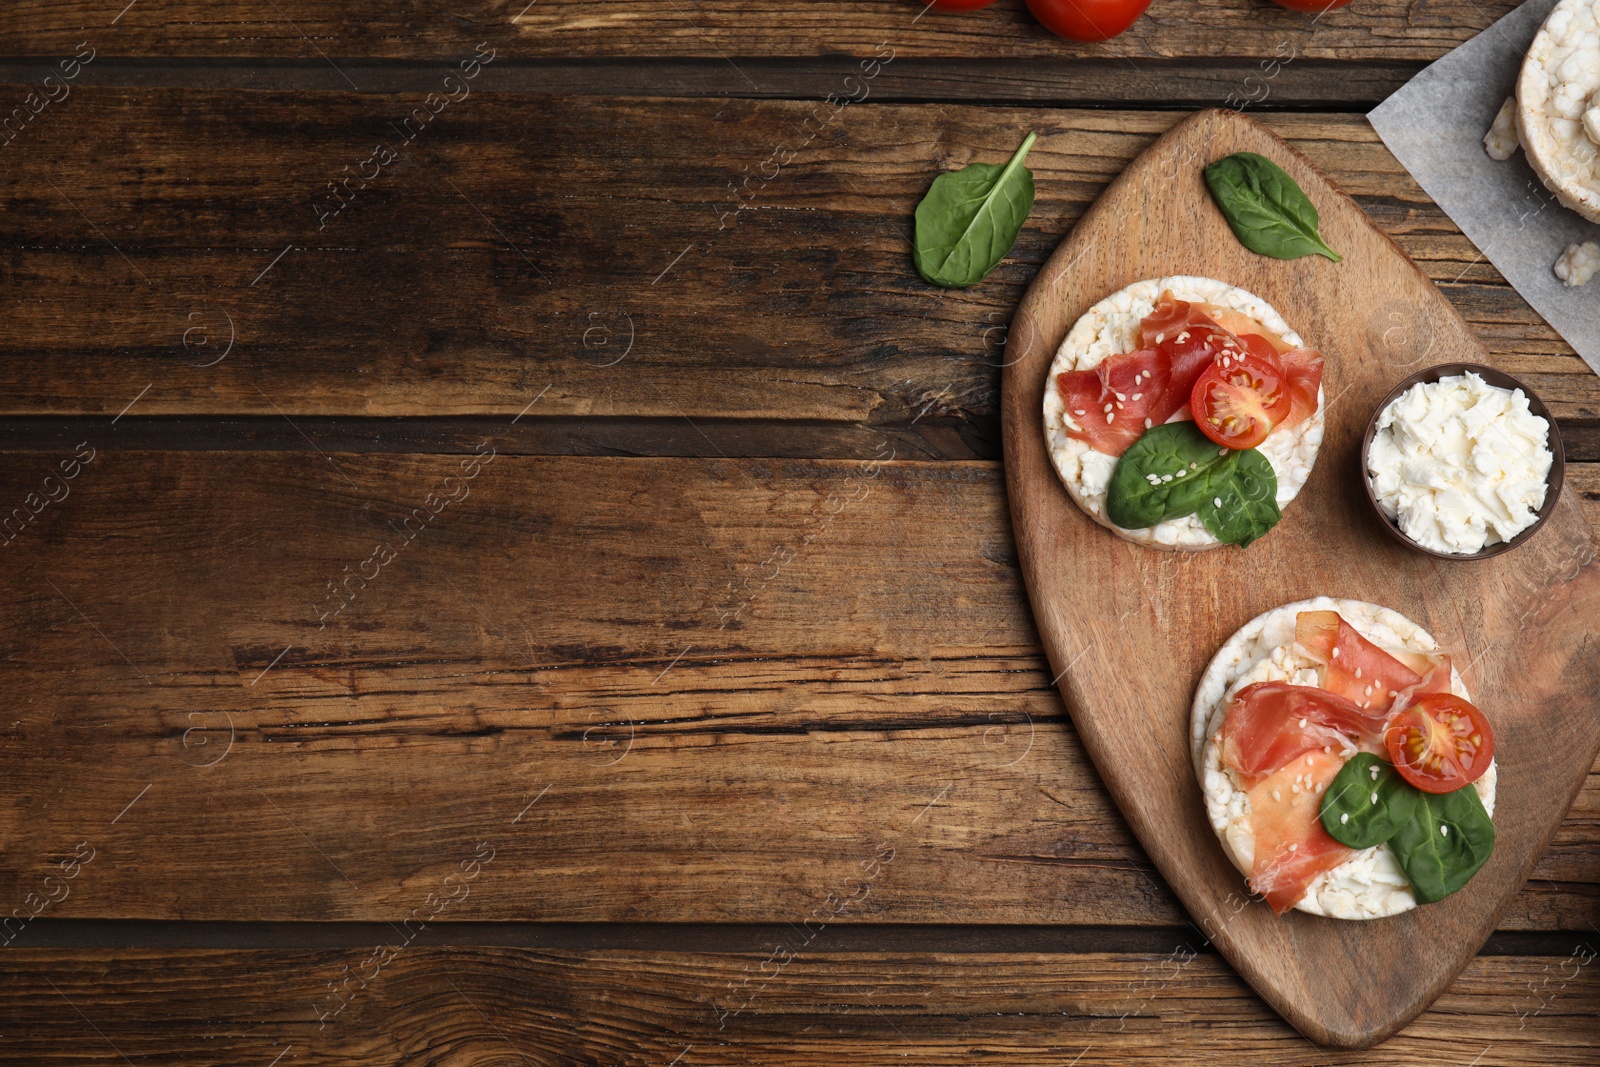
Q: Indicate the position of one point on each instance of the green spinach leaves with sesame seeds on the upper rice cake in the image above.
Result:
(1233, 492)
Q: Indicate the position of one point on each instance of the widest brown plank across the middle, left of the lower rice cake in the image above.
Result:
(722, 730)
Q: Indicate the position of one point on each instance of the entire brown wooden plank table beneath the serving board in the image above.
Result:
(550, 599)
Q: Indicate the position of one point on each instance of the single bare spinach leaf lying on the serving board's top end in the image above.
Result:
(1268, 210)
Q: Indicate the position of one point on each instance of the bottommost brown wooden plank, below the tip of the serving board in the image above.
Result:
(791, 1004)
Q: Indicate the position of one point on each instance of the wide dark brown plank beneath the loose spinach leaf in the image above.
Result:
(513, 249)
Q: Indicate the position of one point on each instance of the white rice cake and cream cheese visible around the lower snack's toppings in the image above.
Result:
(1370, 884)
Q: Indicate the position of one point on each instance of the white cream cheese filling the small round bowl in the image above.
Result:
(1460, 465)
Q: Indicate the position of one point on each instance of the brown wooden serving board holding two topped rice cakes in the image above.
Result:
(1130, 629)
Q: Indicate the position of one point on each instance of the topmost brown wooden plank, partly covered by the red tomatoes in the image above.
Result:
(306, 30)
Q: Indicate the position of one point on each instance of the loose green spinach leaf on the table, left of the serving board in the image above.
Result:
(970, 220)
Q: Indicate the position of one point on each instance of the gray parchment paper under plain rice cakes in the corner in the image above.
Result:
(1436, 129)
